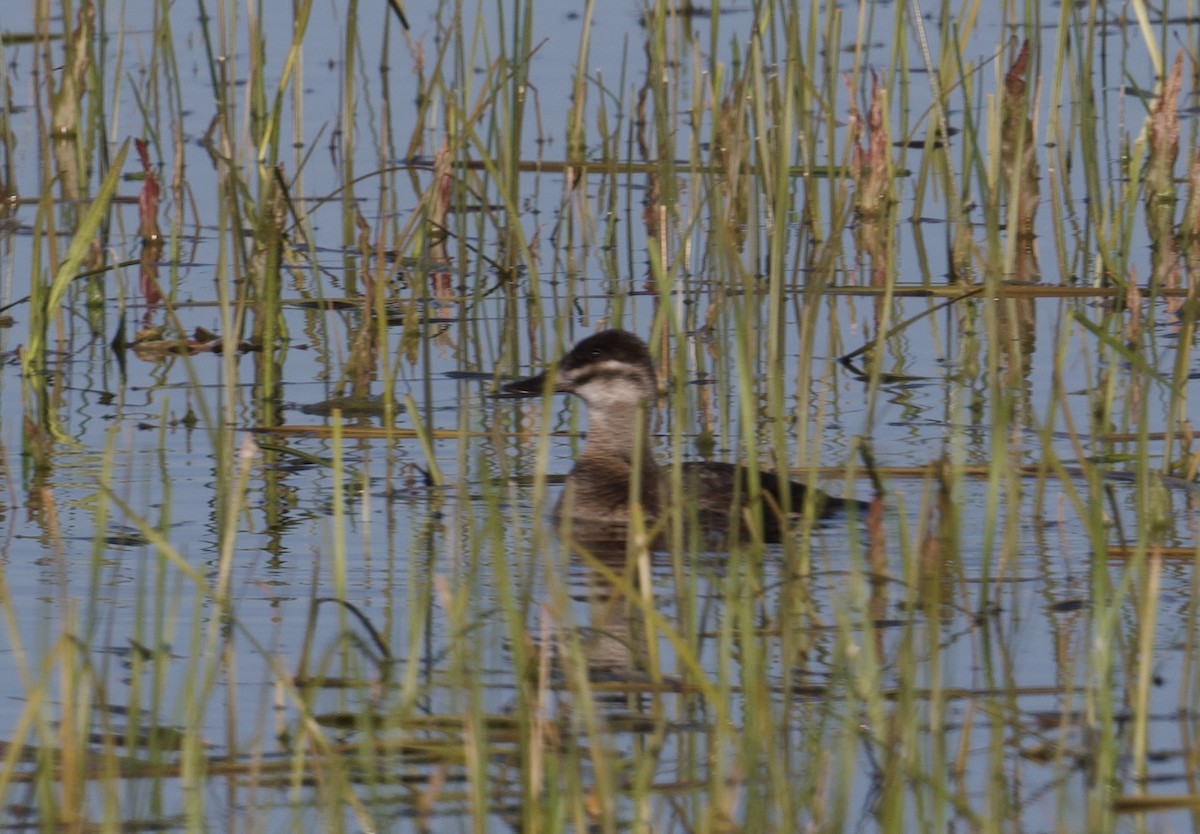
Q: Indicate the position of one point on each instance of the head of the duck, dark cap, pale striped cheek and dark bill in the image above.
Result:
(611, 369)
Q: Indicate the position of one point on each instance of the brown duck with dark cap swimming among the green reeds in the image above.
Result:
(614, 375)
